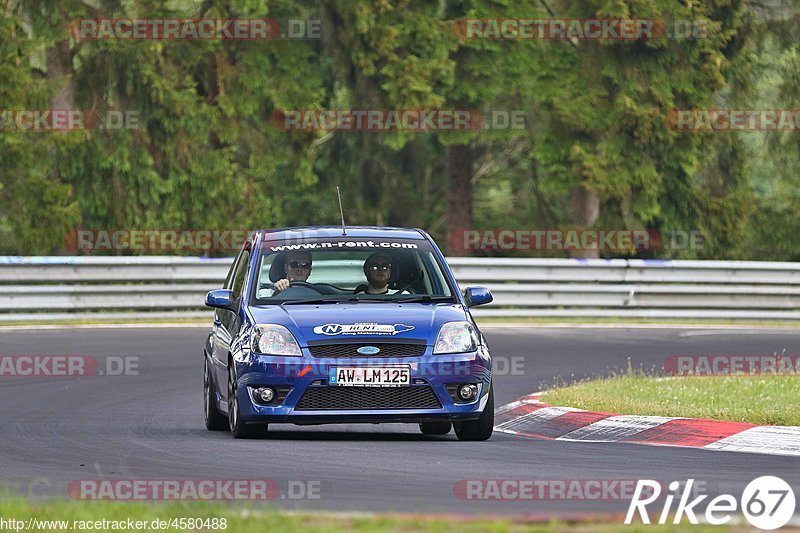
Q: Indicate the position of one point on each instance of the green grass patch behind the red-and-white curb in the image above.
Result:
(760, 399)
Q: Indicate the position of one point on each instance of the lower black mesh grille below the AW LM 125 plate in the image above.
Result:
(354, 398)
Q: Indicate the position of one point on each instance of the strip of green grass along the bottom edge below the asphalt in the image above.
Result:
(253, 518)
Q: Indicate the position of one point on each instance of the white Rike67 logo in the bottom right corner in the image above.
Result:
(767, 502)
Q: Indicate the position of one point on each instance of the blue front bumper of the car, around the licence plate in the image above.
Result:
(310, 374)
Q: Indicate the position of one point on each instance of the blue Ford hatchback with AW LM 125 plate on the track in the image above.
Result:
(320, 325)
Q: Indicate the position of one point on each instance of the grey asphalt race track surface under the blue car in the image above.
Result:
(150, 426)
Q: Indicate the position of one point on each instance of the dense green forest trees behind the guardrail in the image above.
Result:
(596, 149)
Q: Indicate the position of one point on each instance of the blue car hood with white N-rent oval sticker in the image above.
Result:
(360, 321)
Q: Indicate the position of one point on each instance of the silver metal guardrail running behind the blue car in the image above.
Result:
(130, 287)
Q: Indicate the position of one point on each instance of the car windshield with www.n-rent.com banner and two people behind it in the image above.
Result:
(348, 269)
